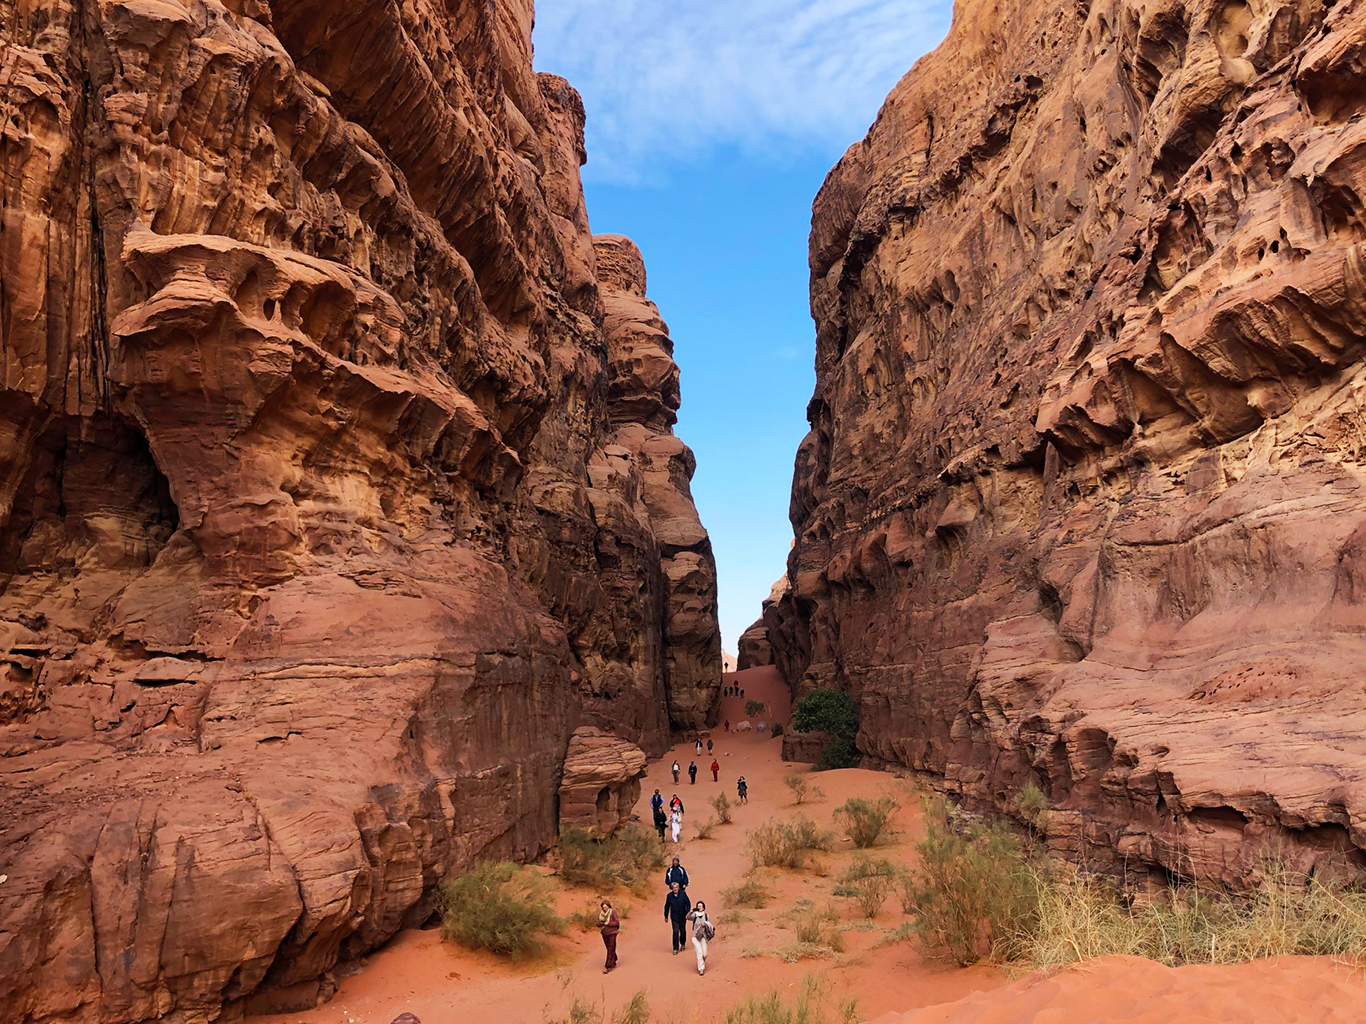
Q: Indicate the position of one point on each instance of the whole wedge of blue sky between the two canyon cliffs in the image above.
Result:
(711, 128)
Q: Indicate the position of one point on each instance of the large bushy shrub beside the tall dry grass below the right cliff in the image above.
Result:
(973, 894)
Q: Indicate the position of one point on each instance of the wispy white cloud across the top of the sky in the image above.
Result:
(670, 81)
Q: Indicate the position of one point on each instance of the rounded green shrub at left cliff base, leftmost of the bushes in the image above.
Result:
(499, 907)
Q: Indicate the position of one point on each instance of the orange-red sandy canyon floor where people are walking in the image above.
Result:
(441, 984)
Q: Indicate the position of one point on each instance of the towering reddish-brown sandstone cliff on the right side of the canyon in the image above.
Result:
(1084, 499)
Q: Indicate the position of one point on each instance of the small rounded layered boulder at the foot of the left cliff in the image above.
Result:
(602, 780)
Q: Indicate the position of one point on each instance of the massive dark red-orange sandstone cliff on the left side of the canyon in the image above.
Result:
(329, 510)
